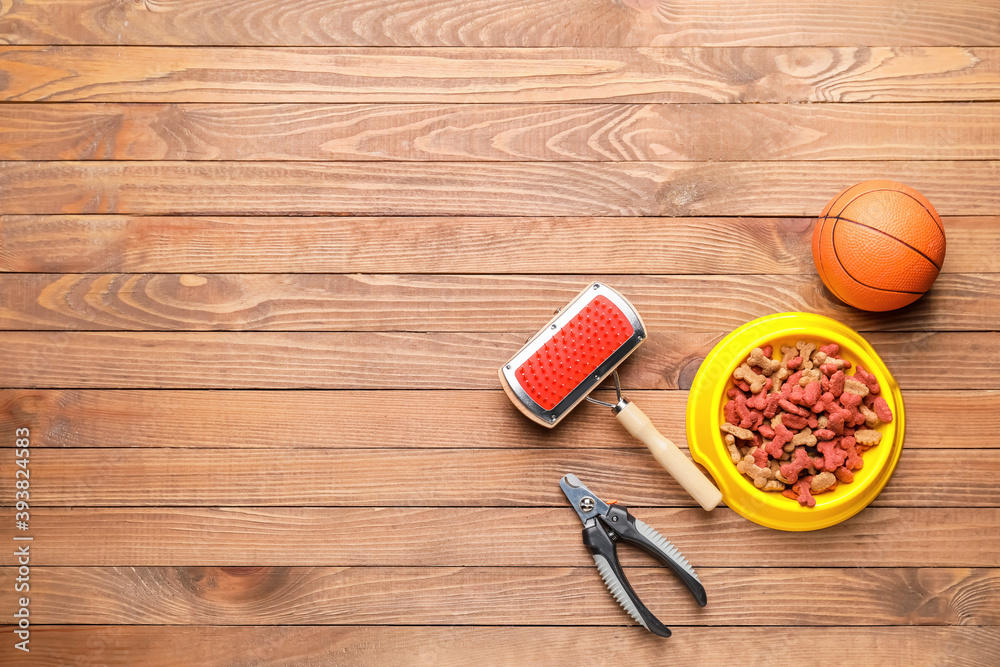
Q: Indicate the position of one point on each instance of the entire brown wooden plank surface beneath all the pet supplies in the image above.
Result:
(261, 260)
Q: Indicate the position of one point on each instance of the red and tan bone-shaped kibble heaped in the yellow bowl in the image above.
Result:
(799, 425)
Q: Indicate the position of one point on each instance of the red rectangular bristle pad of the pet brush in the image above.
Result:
(574, 352)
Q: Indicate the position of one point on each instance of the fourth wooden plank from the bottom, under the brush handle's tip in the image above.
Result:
(513, 477)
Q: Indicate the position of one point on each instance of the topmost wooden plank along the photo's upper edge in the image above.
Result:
(500, 23)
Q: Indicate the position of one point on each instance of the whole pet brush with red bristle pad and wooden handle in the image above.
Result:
(575, 351)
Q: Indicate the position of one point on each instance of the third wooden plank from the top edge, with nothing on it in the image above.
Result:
(549, 132)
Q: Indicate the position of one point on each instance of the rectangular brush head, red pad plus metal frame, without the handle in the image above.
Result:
(572, 354)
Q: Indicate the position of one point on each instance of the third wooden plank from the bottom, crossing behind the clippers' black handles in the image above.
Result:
(498, 537)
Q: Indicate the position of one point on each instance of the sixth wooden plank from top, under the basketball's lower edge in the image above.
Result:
(239, 302)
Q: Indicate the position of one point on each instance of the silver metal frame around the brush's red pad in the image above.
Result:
(555, 415)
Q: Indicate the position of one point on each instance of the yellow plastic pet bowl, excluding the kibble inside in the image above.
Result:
(705, 416)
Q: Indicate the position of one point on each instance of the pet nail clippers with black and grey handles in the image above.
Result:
(604, 525)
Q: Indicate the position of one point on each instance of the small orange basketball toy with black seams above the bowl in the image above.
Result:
(878, 245)
